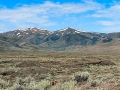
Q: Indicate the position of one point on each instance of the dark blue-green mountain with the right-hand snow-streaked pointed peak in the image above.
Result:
(69, 36)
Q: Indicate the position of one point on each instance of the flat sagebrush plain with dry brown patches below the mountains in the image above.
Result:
(59, 71)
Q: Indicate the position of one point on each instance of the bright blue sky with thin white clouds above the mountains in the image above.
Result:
(87, 15)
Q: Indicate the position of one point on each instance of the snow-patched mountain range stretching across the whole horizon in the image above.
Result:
(67, 39)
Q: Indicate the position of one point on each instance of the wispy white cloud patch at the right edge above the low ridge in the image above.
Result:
(109, 18)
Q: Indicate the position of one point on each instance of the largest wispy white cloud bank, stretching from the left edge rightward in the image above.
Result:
(43, 14)
